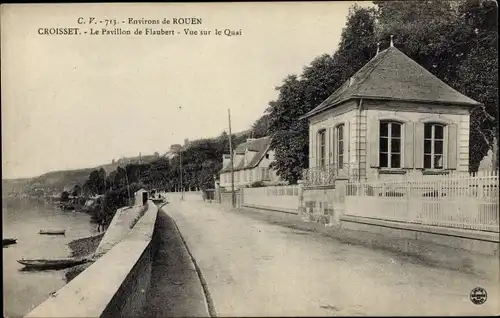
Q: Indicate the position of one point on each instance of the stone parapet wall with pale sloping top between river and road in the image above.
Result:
(116, 284)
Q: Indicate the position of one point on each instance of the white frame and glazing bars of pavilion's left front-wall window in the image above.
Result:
(390, 139)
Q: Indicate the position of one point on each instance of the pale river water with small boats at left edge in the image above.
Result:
(22, 219)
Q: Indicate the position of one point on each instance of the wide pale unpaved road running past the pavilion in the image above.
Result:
(254, 268)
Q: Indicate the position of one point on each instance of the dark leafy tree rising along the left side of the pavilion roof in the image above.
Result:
(326, 73)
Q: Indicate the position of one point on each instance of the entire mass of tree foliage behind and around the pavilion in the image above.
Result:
(454, 40)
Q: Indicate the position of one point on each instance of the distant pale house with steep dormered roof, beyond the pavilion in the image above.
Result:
(251, 162)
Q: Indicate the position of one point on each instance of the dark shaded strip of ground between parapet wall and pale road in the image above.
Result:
(175, 289)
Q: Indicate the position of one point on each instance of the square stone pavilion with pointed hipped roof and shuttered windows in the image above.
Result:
(391, 117)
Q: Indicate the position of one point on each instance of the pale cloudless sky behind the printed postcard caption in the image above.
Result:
(71, 102)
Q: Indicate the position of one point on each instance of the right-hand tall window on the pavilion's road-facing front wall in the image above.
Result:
(433, 146)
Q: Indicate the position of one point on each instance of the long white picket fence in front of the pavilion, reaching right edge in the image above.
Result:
(466, 201)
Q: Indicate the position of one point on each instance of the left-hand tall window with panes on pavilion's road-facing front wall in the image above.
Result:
(390, 145)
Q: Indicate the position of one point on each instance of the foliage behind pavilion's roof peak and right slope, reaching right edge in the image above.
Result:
(457, 42)
